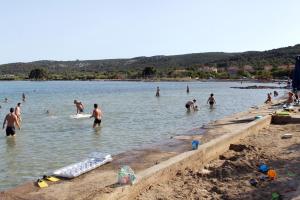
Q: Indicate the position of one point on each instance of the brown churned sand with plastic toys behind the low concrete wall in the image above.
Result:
(228, 177)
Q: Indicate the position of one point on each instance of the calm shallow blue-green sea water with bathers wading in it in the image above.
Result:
(133, 118)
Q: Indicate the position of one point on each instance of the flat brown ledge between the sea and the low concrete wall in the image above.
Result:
(103, 180)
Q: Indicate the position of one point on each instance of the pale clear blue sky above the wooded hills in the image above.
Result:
(33, 30)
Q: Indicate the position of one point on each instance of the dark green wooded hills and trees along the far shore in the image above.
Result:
(251, 65)
